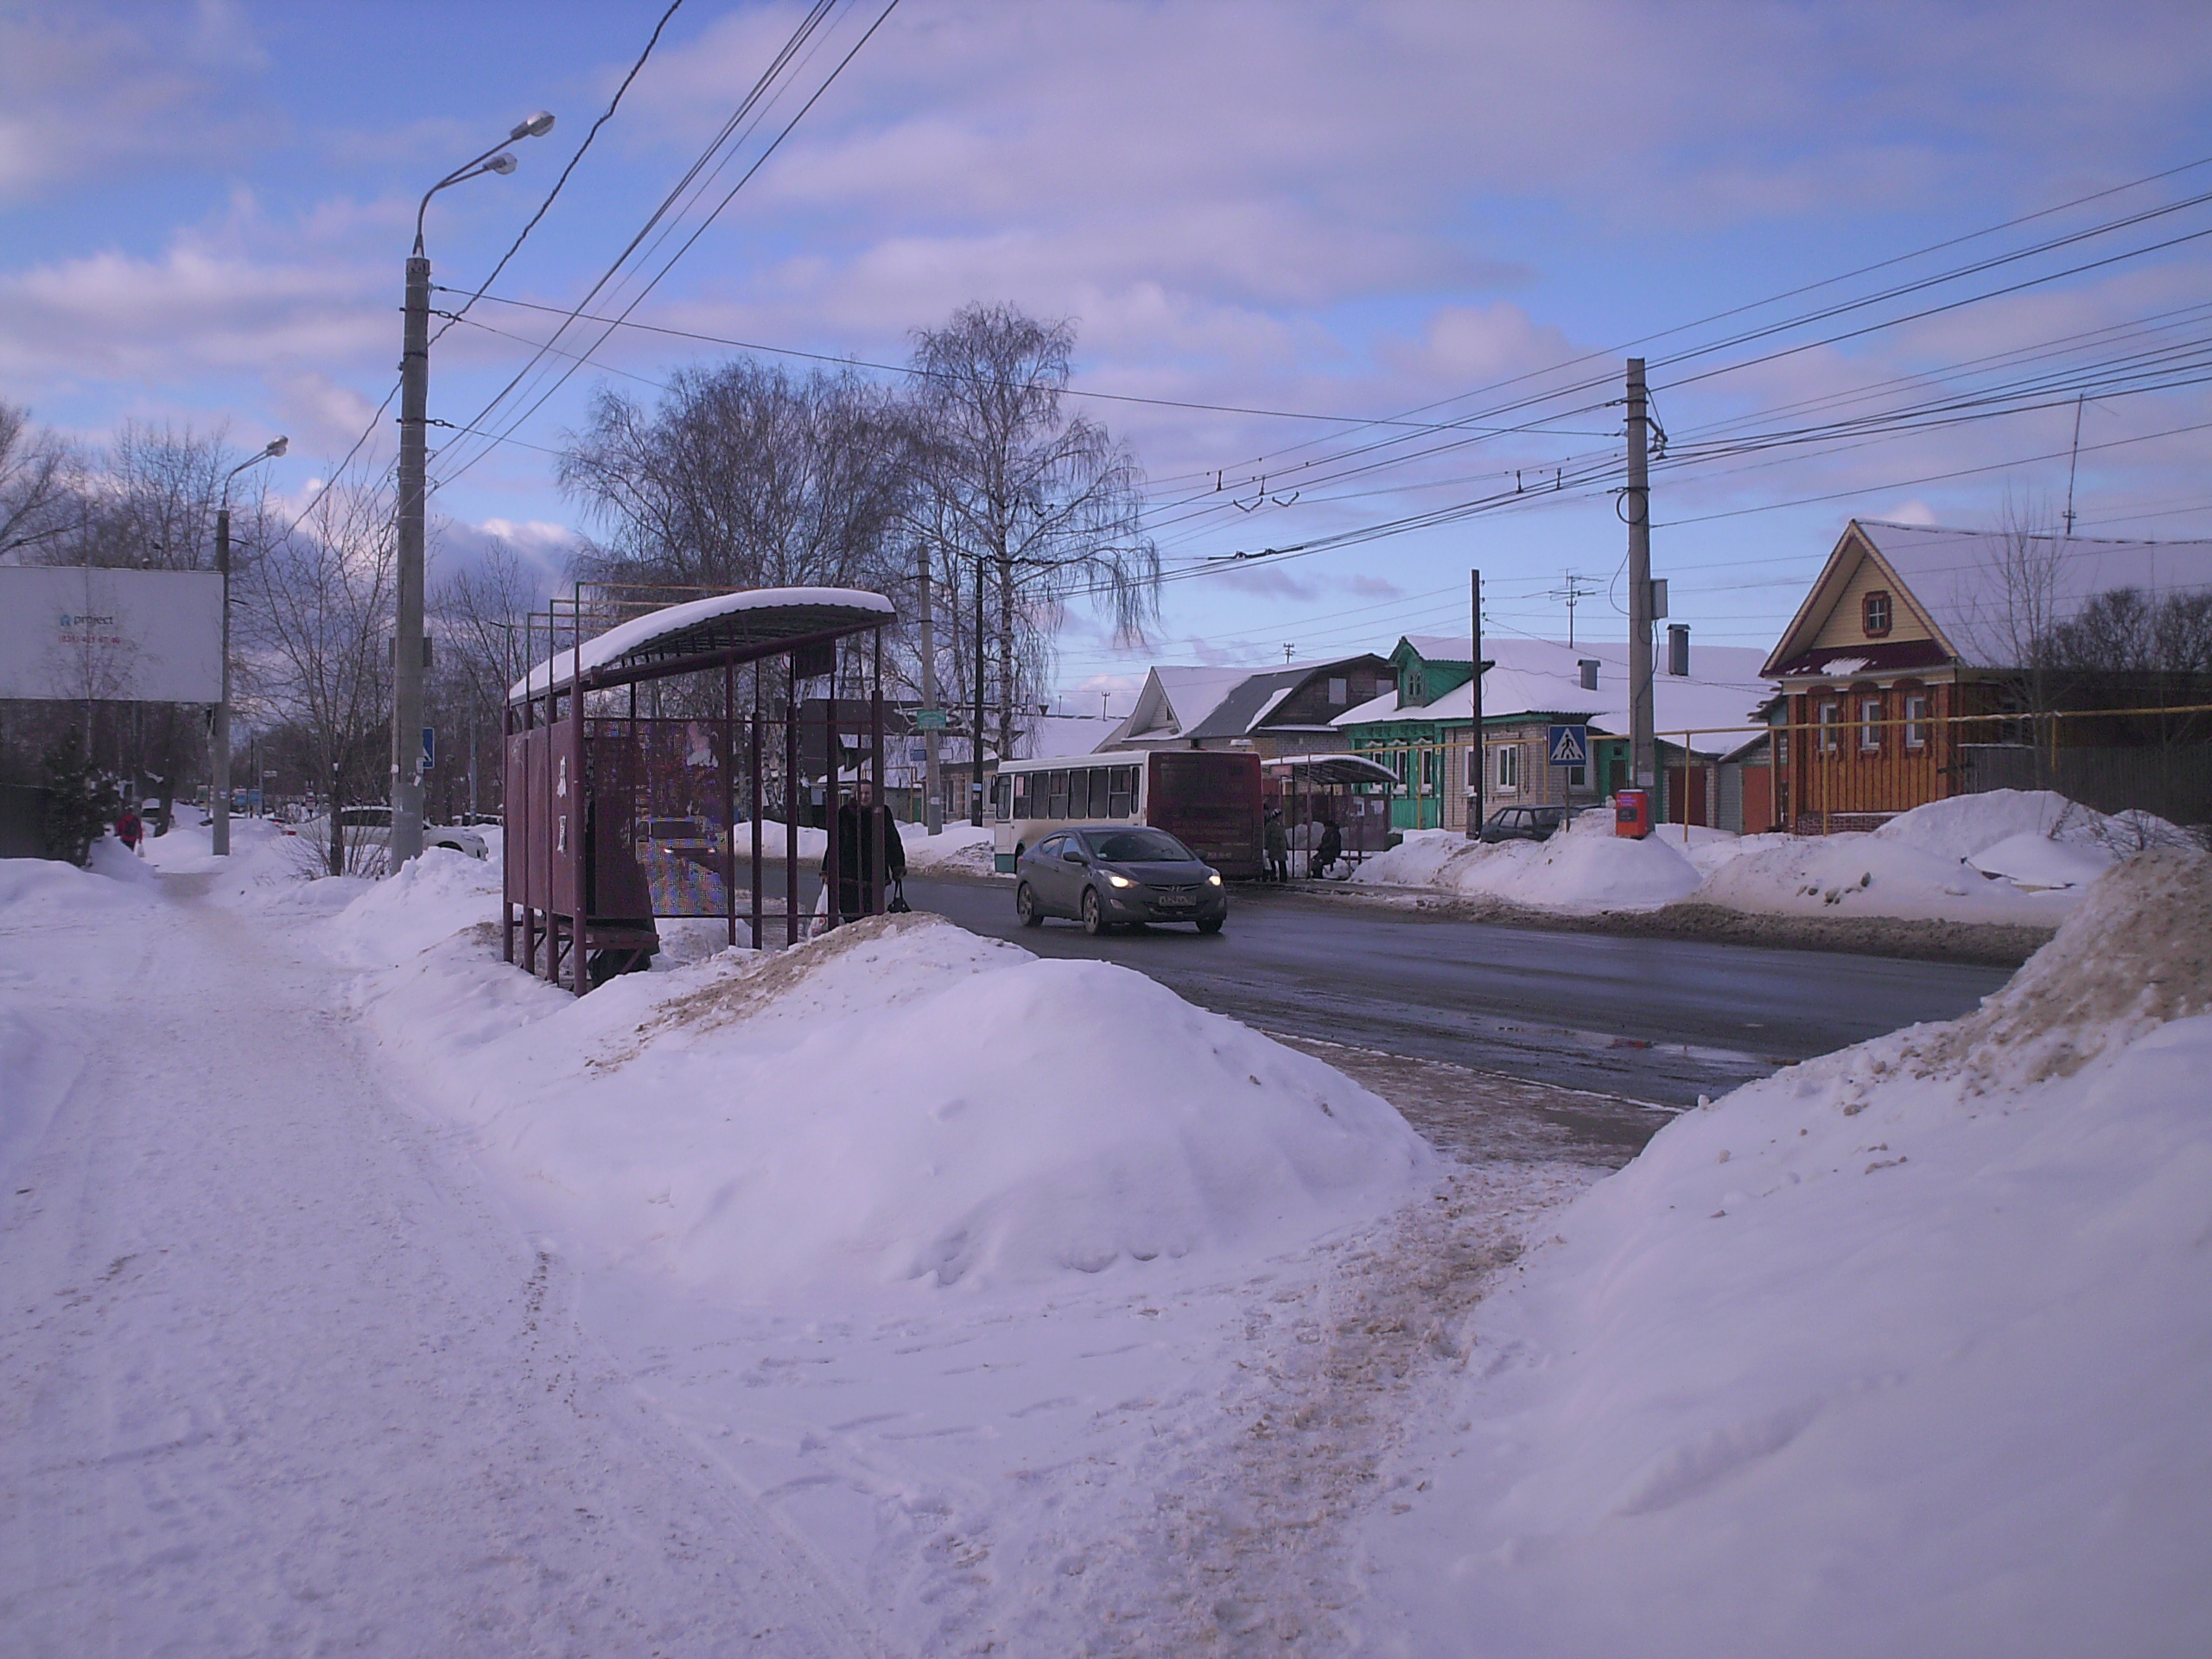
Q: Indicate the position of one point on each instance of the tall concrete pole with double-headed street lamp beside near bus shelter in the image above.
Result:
(410, 647)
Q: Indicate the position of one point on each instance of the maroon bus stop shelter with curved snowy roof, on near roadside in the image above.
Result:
(618, 820)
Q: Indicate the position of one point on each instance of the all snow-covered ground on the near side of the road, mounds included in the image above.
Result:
(881, 1297)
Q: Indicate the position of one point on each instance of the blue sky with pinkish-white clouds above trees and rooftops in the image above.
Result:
(1313, 209)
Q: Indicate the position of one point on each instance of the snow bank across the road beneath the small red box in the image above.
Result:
(1572, 873)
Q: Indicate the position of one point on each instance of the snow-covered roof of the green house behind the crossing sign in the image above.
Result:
(1541, 678)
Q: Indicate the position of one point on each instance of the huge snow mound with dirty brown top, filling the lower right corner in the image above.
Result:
(1901, 1350)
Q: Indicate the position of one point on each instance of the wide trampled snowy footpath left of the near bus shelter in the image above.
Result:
(275, 1379)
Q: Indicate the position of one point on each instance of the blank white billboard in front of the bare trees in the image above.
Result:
(76, 634)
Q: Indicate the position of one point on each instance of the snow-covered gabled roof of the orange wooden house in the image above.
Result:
(1972, 585)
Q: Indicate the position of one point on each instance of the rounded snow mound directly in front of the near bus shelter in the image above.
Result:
(893, 1103)
